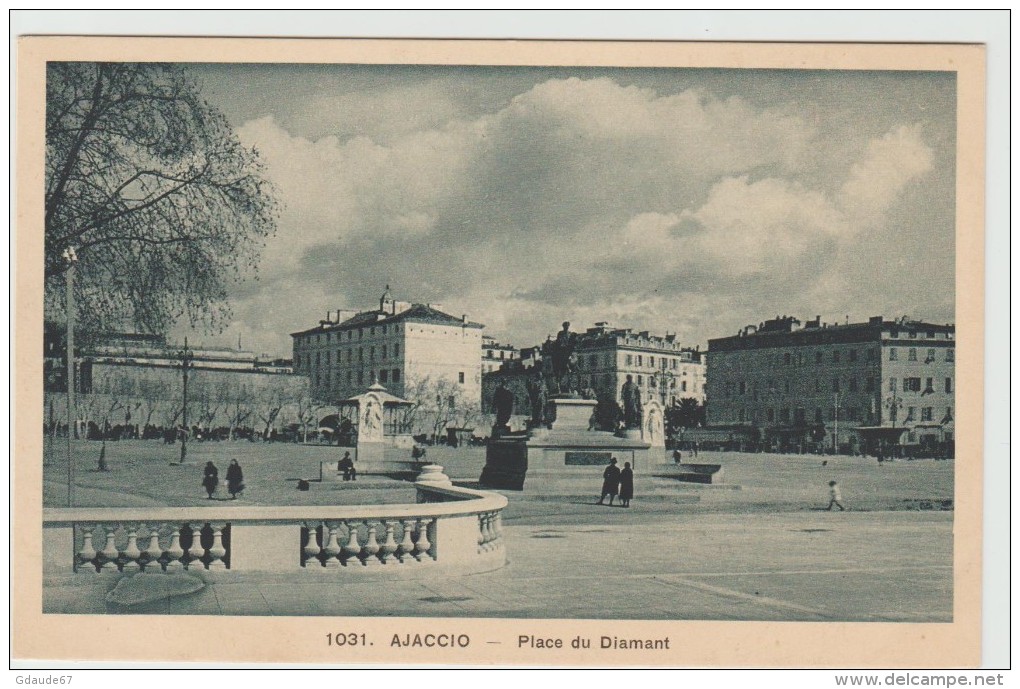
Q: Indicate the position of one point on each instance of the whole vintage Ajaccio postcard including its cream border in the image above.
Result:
(476, 353)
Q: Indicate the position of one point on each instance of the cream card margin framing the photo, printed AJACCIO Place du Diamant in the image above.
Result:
(731, 645)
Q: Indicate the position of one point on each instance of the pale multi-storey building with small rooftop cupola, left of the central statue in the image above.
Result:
(400, 346)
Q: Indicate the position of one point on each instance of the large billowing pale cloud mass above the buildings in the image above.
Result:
(579, 200)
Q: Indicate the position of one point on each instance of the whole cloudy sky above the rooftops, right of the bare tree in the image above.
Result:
(688, 202)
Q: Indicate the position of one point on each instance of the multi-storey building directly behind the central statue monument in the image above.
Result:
(604, 357)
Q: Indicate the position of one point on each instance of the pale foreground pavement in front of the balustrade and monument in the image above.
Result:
(808, 566)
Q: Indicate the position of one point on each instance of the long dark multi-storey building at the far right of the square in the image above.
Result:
(818, 384)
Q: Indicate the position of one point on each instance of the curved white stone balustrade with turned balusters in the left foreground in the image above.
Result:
(448, 527)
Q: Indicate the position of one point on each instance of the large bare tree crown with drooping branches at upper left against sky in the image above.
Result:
(151, 187)
